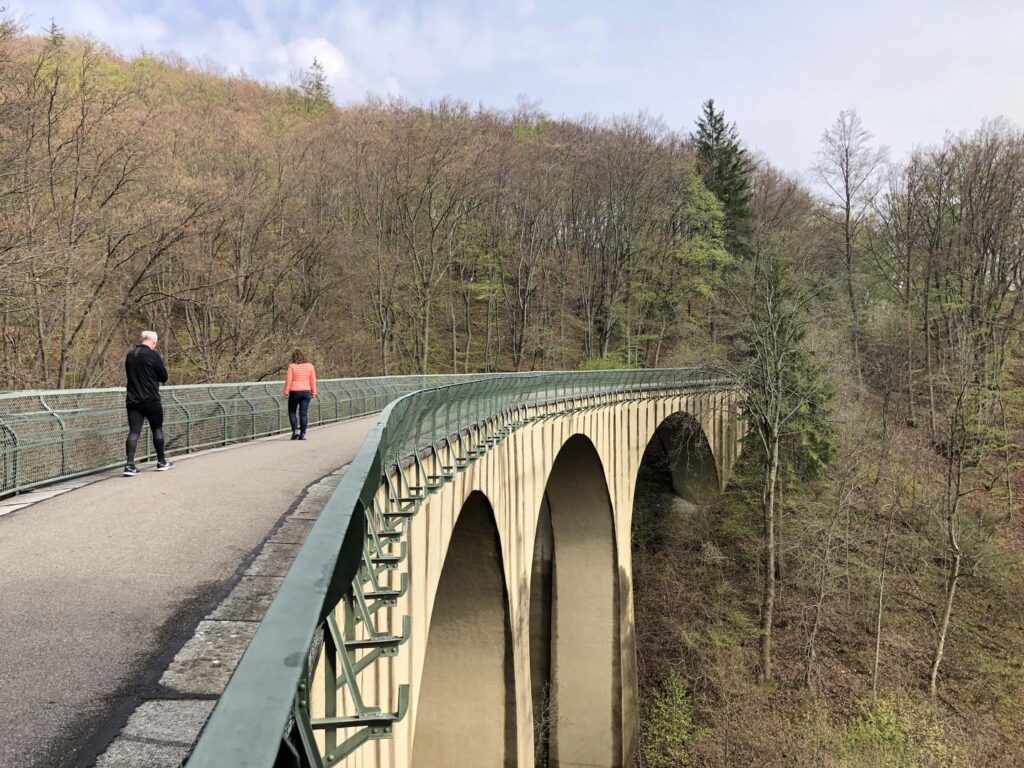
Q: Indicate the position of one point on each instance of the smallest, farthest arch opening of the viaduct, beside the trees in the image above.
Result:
(680, 448)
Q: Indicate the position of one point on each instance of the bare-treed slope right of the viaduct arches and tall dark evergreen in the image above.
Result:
(855, 599)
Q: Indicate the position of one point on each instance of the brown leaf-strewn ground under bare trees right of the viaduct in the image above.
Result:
(698, 601)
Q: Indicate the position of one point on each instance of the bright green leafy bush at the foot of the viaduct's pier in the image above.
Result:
(669, 729)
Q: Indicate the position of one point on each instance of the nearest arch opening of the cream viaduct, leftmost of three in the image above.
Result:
(466, 707)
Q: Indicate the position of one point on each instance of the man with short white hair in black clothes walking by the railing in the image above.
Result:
(146, 372)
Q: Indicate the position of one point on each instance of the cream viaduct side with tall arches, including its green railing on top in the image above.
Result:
(467, 592)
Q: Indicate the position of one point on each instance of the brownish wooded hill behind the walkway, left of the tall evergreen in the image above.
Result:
(239, 220)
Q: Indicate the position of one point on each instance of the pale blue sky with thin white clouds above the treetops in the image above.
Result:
(782, 70)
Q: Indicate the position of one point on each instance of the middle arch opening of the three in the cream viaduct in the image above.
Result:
(575, 631)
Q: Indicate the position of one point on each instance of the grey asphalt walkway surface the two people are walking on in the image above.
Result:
(100, 587)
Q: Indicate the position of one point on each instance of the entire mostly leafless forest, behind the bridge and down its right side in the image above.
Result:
(854, 600)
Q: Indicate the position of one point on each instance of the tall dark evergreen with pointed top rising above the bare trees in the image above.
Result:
(727, 169)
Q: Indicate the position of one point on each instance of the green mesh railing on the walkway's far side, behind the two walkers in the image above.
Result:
(59, 435)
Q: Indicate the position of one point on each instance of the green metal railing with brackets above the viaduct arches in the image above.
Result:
(327, 612)
